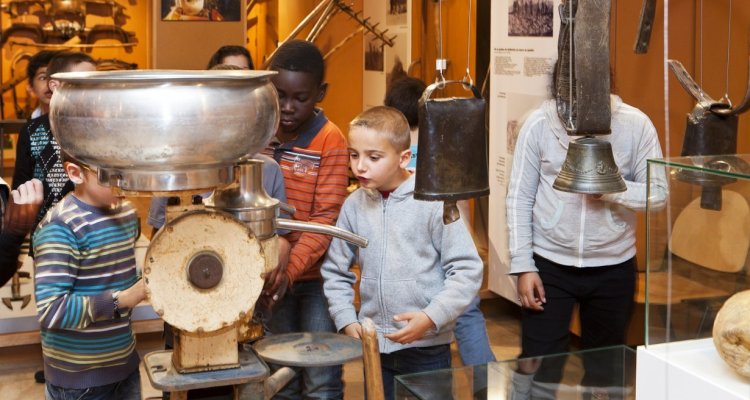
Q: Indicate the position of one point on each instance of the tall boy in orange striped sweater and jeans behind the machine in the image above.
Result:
(313, 156)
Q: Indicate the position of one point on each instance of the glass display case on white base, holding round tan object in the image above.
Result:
(698, 236)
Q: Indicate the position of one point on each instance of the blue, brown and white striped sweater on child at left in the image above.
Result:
(83, 254)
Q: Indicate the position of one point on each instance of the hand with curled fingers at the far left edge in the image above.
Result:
(23, 207)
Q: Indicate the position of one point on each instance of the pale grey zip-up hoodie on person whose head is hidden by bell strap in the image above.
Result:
(570, 228)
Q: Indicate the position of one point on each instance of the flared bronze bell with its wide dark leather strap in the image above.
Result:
(582, 83)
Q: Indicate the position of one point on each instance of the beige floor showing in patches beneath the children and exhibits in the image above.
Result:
(18, 364)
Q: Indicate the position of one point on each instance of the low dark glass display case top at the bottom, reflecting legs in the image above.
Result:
(605, 373)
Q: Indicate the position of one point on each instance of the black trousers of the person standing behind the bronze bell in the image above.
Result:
(605, 299)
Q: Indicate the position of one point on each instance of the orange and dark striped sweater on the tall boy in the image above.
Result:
(315, 167)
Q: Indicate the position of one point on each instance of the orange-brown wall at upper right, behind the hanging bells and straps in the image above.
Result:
(639, 78)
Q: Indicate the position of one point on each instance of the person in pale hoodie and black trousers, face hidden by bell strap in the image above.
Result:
(569, 248)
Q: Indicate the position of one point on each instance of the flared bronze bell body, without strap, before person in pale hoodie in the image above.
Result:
(589, 167)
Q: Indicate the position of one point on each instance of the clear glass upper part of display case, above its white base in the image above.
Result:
(698, 236)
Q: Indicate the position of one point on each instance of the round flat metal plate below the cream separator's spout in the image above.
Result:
(309, 349)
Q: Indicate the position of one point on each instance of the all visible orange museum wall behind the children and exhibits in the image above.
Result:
(638, 78)
